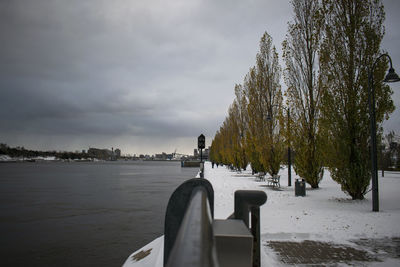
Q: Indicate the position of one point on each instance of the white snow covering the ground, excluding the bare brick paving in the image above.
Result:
(325, 214)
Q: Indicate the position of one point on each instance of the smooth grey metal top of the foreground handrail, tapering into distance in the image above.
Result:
(195, 244)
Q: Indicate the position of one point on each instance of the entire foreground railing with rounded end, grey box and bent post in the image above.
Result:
(193, 238)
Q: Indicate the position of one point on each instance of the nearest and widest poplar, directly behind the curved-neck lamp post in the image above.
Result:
(353, 34)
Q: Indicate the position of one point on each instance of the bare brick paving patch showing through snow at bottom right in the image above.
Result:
(317, 253)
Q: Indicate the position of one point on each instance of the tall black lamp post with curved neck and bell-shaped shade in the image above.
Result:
(391, 76)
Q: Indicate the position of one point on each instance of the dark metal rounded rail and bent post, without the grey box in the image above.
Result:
(188, 237)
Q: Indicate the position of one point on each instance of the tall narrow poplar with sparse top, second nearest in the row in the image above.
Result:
(300, 52)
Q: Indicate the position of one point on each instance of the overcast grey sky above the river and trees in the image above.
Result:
(144, 76)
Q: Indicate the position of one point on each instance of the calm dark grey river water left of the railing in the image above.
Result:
(82, 214)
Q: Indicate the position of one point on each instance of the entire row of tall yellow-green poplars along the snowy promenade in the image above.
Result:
(327, 51)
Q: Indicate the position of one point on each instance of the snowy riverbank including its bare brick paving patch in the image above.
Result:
(326, 219)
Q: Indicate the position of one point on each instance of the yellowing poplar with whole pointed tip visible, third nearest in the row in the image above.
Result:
(266, 144)
